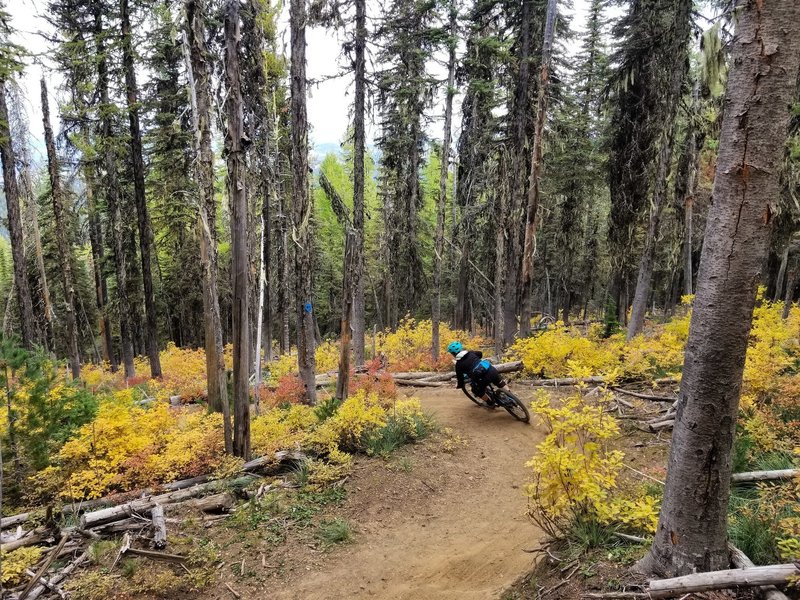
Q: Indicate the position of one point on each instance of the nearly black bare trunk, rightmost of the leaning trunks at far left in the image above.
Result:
(143, 218)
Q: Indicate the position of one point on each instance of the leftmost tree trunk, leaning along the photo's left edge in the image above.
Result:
(15, 225)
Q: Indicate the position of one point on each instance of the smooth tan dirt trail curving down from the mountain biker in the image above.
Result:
(452, 527)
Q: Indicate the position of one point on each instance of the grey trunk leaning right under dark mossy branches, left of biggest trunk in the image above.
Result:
(646, 264)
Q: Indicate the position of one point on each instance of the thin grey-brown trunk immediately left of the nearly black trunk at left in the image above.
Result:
(113, 196)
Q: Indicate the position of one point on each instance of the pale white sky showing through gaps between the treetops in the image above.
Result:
(329, 102)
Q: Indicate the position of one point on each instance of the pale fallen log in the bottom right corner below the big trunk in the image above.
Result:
(717, 580)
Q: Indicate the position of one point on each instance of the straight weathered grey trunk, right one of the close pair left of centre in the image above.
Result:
(234, 145)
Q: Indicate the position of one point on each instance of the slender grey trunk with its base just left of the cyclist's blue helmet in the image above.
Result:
(436, 309)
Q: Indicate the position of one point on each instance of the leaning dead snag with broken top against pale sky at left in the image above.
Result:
(62, 239)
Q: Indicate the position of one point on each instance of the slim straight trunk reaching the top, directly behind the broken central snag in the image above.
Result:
(358, 317)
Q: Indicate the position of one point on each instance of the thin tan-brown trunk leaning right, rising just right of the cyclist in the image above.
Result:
(536, 169)
